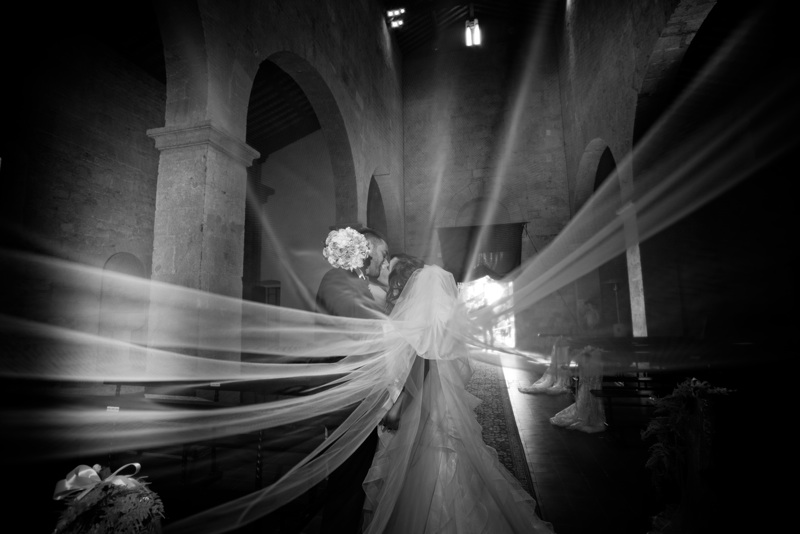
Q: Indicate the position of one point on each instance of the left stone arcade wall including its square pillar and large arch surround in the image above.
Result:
(340, 55)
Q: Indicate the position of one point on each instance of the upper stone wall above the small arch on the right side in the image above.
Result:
(603, 52)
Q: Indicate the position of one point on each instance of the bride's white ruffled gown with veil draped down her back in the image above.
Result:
(435, 474)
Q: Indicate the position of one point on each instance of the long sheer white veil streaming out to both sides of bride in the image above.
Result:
(67, 355)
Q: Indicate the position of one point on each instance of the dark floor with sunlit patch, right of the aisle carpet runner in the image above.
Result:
(584, 483)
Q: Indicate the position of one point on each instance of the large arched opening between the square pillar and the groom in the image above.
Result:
(301, 186)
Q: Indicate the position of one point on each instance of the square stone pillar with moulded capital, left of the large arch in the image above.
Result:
(199, 234)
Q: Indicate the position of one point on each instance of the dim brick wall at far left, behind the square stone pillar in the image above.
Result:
(81, 172)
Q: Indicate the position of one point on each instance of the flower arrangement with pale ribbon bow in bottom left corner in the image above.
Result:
(99, 501)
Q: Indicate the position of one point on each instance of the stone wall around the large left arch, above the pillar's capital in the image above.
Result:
(343, 57)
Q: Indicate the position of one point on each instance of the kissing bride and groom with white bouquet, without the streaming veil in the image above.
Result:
(426, 467)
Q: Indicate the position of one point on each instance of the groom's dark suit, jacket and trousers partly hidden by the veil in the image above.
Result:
(344, 294)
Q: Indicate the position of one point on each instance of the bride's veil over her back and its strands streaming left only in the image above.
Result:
(52, 353)
